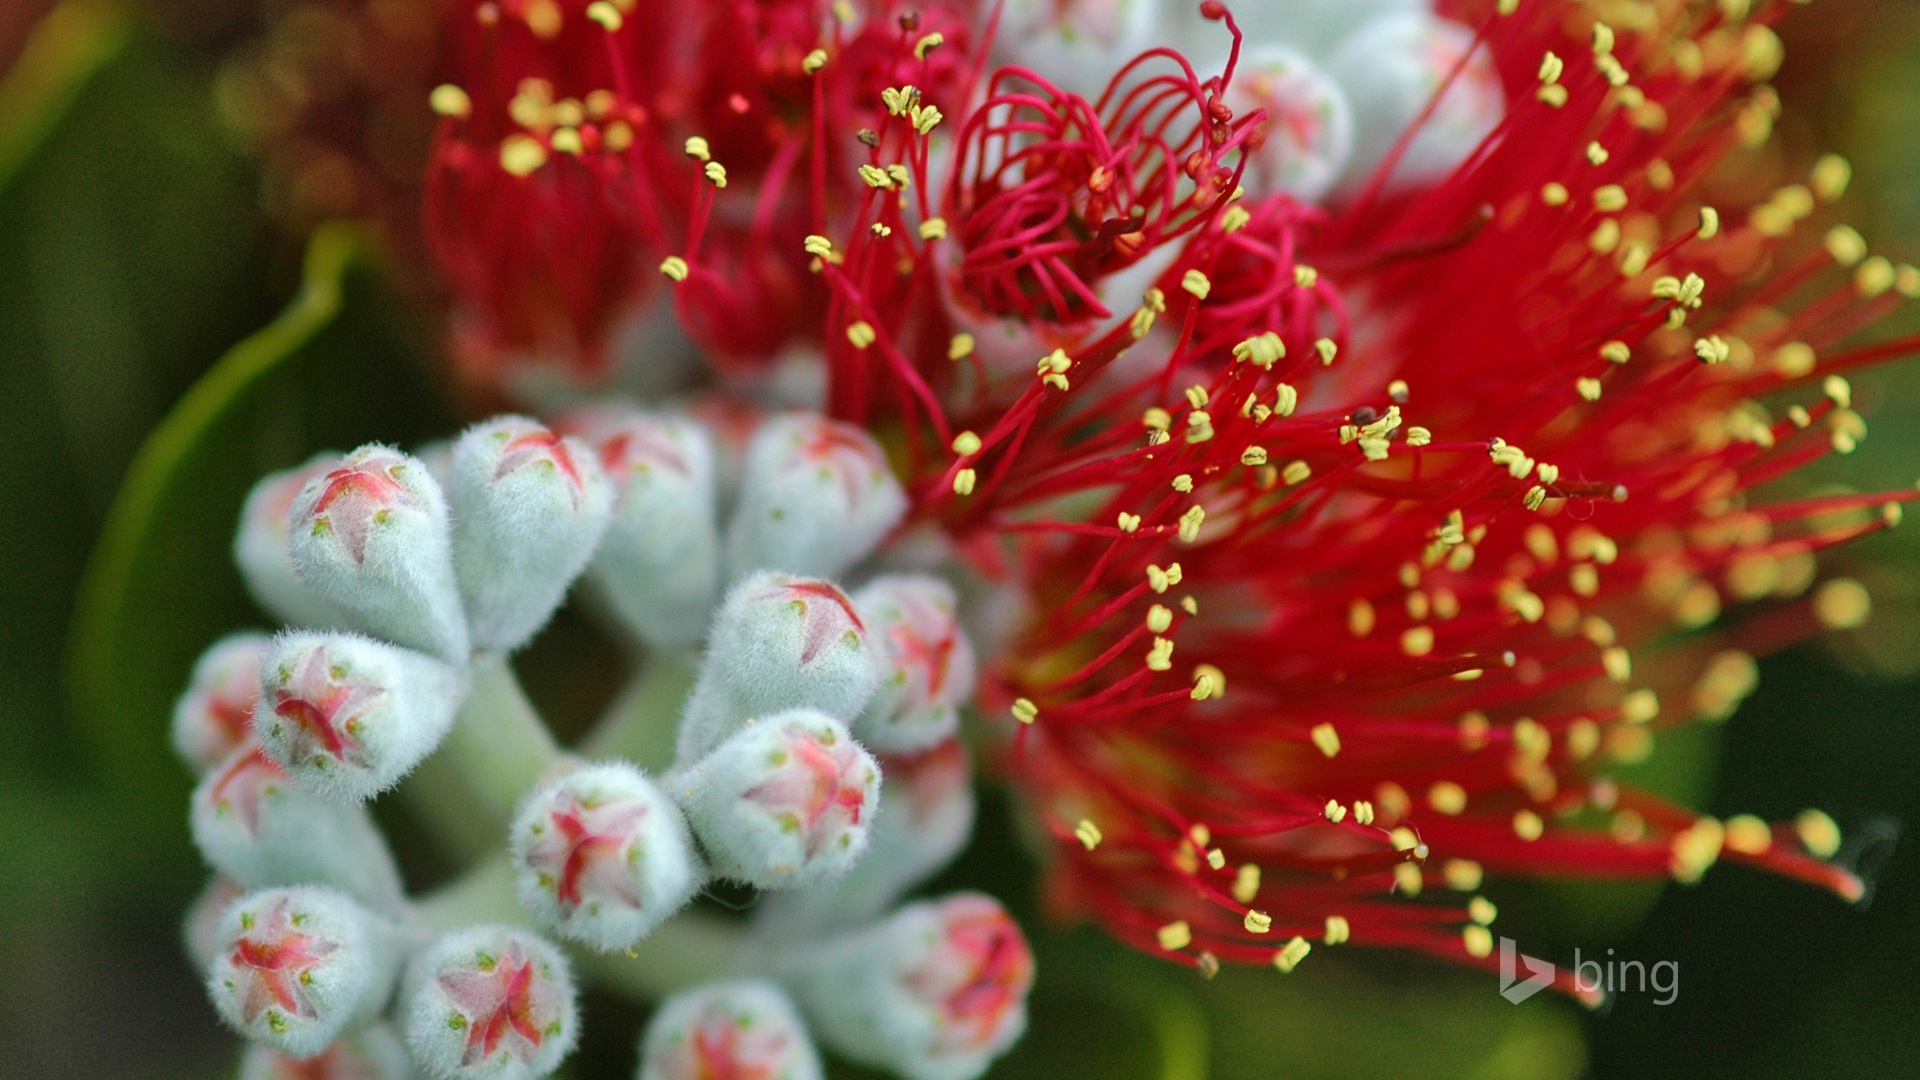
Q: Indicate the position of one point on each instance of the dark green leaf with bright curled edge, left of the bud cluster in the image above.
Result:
(160, 585)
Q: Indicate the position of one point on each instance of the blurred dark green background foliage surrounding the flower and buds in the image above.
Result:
(137, 258)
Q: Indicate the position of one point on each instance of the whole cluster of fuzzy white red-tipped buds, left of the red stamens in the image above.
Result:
(410, 579)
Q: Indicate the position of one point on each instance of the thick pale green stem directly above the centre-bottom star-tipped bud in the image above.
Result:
(500, 745)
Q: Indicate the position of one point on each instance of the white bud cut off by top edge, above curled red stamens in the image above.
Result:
(1078, 47)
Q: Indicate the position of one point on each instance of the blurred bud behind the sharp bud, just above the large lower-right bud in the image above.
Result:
(923, 822)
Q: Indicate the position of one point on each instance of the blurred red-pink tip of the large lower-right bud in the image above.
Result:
(976, 977)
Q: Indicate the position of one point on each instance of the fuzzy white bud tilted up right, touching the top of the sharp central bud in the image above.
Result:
(779, 643)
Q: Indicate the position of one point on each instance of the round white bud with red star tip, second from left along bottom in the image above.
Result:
(491, 1002)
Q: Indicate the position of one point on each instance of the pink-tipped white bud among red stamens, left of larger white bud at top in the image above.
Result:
(1308, 135)
